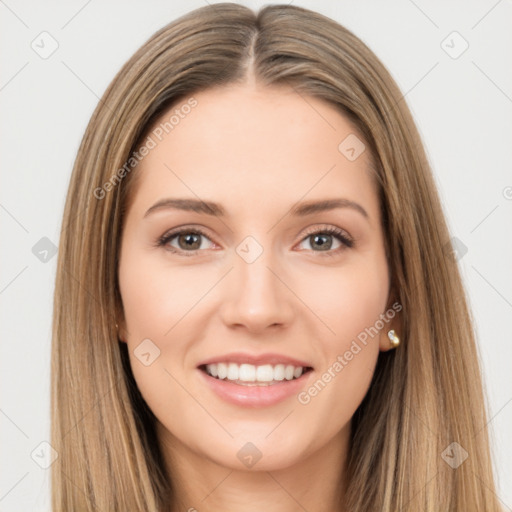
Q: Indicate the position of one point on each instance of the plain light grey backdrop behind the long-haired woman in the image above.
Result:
(462, 106)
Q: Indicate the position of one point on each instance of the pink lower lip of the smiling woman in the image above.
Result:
(255, 396)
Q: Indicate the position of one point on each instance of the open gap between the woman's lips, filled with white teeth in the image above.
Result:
(253, 375)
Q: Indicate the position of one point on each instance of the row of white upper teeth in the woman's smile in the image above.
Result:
(251, 373)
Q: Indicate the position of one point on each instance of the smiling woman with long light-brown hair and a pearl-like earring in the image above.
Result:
(256, 304)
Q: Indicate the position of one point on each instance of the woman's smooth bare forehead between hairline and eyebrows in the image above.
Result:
(265, 145)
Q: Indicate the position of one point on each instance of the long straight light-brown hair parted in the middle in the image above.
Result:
(424, 396)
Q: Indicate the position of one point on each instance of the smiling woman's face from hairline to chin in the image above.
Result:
(253, 251)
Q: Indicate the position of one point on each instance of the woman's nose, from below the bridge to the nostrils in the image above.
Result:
(257, 296)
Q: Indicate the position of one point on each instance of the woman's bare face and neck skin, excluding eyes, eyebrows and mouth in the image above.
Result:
(257, 151)
